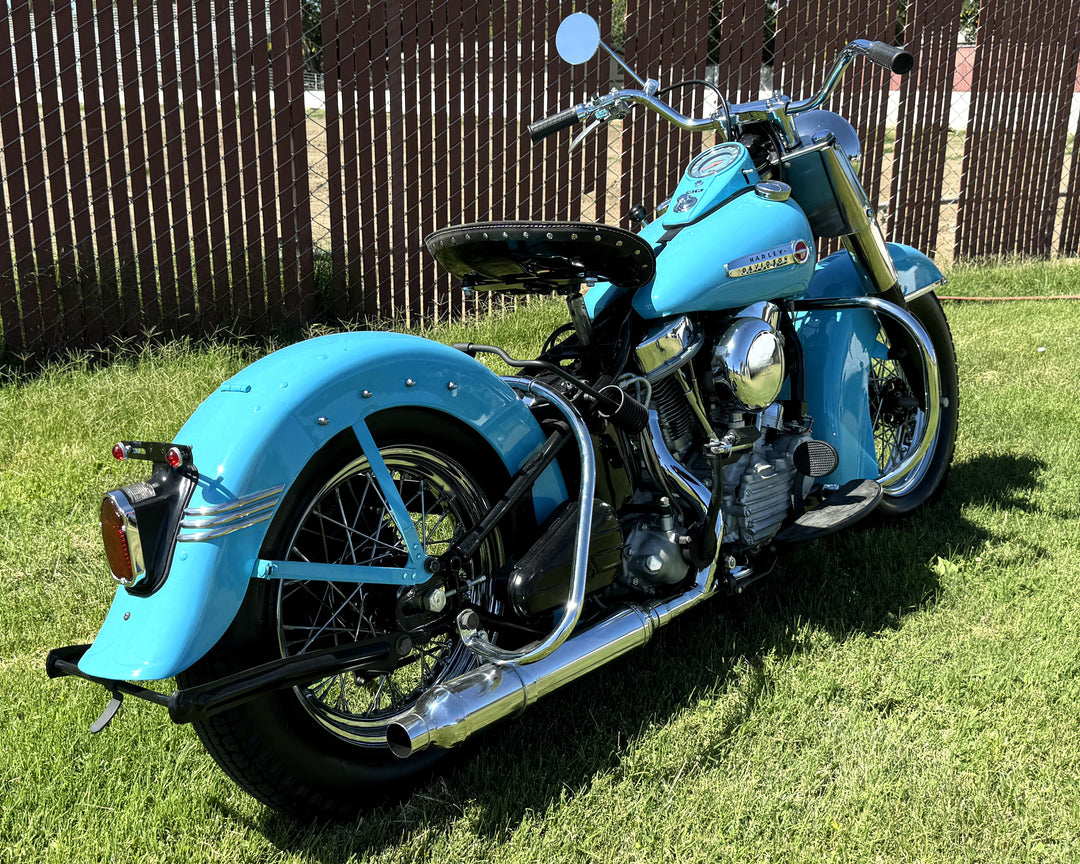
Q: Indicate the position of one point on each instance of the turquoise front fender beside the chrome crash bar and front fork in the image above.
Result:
(840, 348)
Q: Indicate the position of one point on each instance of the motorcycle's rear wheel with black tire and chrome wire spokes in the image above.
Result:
(320, 751)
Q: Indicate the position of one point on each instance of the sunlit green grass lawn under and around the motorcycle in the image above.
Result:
(897, 694)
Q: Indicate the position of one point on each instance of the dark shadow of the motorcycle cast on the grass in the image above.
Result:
(849, 585)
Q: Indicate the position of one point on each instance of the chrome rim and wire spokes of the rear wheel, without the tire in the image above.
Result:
(349, 523)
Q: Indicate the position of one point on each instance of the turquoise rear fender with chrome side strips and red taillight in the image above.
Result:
(255, 436)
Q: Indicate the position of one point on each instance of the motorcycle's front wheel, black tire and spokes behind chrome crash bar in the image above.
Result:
(900, 417)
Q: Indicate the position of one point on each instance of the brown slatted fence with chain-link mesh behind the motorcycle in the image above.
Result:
(180, 168)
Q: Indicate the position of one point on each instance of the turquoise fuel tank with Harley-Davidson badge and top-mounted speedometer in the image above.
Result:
(723, 244)
